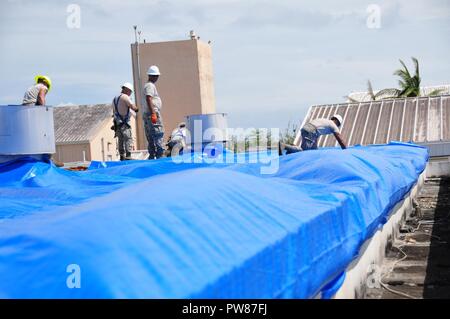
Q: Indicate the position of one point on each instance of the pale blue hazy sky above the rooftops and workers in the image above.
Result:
(272, 59)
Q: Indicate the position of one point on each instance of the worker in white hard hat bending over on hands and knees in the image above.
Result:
(311, 132)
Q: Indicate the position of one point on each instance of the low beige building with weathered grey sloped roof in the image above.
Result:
(83, 133)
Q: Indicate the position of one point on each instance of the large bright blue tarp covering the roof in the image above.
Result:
(159, 229)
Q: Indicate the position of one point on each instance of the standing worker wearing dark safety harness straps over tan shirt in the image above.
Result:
(122, 107)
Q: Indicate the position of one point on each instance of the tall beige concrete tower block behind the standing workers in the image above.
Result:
(186, 84)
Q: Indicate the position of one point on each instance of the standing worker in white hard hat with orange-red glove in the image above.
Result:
(154, 128)
